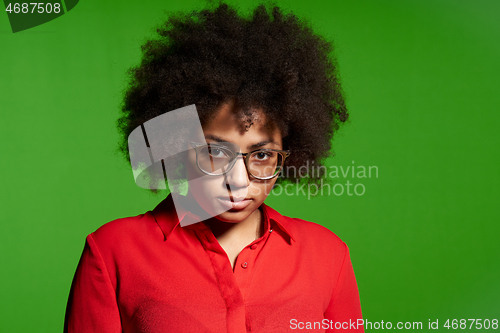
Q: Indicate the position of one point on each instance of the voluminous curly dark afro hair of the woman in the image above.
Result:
(269, 60)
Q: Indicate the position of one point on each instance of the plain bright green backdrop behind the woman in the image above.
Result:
(421, 80)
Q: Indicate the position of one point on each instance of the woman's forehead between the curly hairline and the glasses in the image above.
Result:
(242, 129)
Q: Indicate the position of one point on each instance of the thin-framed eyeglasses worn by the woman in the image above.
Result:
(217, 160)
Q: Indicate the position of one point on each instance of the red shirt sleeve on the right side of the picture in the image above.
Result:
(344, 310)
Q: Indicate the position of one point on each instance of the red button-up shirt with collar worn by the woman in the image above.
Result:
(148, 274)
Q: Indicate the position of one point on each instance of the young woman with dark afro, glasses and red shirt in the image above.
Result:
(267, 96)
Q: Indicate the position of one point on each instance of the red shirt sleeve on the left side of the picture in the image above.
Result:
(92, 305)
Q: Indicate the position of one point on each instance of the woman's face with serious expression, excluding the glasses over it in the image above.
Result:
(233, 197)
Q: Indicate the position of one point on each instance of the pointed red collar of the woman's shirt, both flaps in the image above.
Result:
(168, 218)
